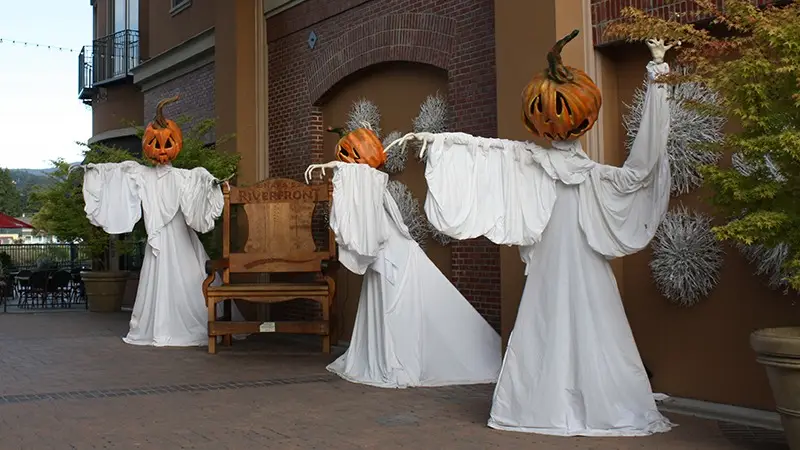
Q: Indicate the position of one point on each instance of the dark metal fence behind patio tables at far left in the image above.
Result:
(31, 256)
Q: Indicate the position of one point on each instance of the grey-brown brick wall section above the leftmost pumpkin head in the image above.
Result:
(196, 90)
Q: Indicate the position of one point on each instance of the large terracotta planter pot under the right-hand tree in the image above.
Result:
(778, 349)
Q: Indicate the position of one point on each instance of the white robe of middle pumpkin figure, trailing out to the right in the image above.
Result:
(413, 327)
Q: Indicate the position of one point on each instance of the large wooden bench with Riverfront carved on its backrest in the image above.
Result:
(279, 215)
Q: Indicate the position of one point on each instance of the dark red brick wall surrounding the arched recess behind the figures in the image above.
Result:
(455, 35)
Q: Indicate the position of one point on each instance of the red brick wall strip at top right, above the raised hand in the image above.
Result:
(606, 11)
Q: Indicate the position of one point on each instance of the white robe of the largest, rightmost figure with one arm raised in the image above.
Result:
(571, 366)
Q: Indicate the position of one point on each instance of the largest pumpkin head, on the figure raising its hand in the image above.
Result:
(561, 103)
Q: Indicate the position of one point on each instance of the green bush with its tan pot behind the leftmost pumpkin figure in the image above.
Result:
(62, 213)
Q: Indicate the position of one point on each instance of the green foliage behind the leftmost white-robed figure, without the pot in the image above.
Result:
(61, 211)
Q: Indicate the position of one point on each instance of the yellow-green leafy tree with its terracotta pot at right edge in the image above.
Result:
(753, 62)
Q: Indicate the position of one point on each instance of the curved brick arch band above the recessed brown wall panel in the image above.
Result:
(413, 37)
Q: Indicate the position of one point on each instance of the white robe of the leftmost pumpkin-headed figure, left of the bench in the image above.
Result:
(170, 309)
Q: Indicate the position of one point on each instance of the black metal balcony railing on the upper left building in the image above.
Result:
(108, 59)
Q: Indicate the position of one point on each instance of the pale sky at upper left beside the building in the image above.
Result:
(41, 116)
